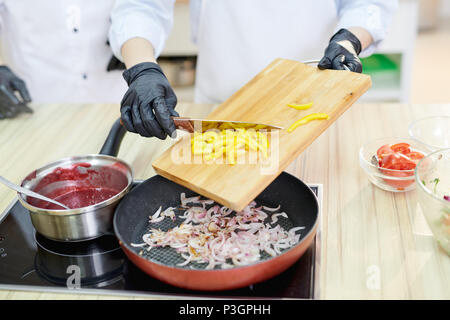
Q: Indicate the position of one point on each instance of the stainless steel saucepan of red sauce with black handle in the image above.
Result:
(91, 185)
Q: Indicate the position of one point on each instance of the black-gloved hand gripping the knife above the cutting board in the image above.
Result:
(149, 103)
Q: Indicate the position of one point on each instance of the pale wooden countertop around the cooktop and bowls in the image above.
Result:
(375, 244)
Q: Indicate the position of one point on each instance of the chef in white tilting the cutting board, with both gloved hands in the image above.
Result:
(236, 39)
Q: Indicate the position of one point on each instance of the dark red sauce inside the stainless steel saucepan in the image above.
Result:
(80, 186)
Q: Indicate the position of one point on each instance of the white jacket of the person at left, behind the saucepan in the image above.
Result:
(59, 48)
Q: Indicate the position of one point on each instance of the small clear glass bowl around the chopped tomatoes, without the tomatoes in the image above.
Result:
(388, 179)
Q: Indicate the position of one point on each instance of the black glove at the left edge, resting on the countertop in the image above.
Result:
(10, 104)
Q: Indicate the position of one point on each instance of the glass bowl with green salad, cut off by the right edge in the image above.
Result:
(432, 174)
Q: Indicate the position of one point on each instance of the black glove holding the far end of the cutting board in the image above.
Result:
(342, 51)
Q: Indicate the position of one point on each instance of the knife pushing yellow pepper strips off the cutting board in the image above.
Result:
(202, 125)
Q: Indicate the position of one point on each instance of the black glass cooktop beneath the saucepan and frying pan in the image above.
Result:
(28, 261)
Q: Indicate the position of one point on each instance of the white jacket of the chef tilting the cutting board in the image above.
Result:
(238, 38)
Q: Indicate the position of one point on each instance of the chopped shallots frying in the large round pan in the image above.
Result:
(218, 238)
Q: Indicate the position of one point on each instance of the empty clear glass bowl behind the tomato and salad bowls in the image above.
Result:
(434, 132)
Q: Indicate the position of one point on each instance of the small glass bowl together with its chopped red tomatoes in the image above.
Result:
(390, 162)
